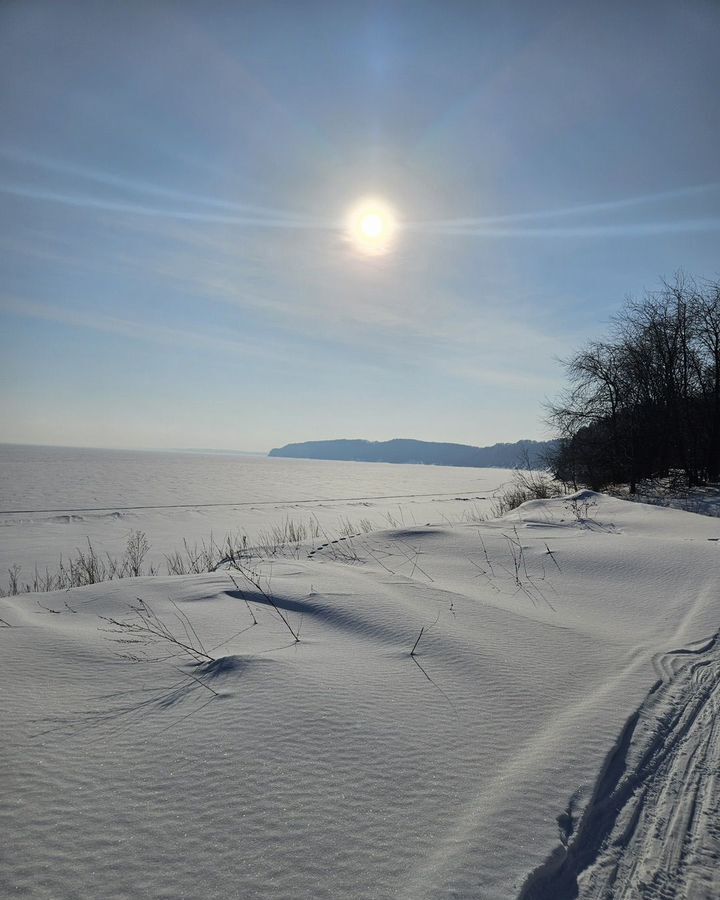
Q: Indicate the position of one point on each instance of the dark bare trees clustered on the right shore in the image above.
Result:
(645, 402)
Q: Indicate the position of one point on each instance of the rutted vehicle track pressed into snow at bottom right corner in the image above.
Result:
(652, 827)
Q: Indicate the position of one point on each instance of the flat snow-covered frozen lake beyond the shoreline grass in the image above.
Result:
(53, 499)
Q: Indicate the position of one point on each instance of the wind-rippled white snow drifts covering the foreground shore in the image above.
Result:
(340, 766)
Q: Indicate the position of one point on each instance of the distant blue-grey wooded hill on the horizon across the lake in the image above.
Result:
(402, 450)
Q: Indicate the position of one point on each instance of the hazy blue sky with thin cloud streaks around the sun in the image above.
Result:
(174, 186)
